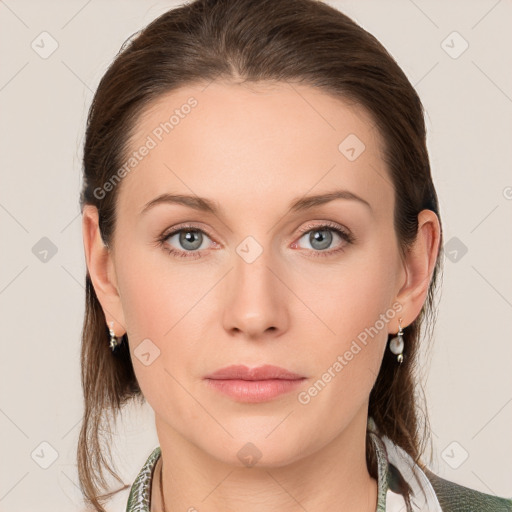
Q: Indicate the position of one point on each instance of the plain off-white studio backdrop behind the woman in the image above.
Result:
(53, 54)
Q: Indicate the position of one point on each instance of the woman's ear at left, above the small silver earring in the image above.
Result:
(100, 265)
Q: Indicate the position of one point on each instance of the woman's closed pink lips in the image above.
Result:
(253, 385)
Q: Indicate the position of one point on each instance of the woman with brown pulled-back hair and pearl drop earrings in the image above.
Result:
(263, 242)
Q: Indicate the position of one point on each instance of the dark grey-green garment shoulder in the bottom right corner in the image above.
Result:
(457, 498)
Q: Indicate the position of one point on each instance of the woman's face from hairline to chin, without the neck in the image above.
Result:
(256, 280)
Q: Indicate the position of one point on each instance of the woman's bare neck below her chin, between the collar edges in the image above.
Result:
(333, 478)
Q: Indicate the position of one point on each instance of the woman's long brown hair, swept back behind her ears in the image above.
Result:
(294, 41)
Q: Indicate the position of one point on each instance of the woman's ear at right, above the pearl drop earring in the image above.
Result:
(418, 264)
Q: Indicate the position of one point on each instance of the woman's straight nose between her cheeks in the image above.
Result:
(256, 296)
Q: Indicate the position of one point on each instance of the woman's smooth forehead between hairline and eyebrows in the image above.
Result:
(261, 142)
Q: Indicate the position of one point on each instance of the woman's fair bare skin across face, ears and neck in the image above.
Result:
(254, 149)
